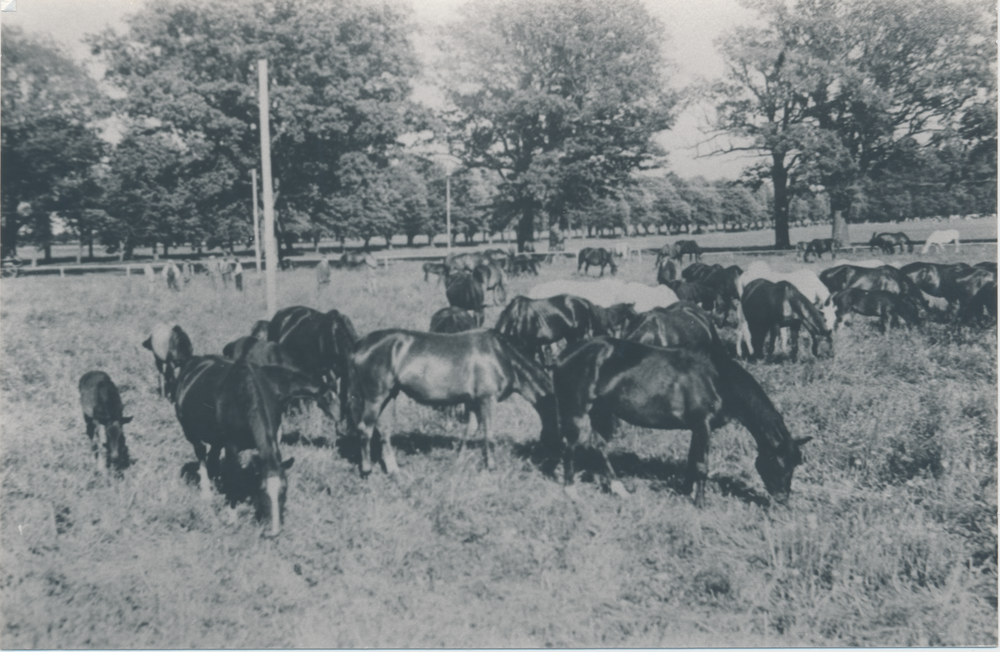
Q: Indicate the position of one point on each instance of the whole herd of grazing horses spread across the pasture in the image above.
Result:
(650, 355)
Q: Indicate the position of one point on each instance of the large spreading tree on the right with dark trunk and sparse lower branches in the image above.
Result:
(830, 90)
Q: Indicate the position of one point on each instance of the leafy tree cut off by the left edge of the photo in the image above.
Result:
(50, 137)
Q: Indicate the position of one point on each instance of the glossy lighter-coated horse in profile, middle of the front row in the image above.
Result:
(475, 368)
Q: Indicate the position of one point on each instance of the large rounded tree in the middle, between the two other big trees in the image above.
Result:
(560, 98)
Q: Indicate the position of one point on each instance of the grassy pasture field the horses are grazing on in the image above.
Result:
(889, 539)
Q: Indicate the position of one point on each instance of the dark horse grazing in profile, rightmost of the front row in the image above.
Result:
(668, 389)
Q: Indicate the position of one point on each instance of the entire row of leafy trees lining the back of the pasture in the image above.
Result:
(865, 110)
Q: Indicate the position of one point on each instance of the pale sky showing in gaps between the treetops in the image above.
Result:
(691, 25)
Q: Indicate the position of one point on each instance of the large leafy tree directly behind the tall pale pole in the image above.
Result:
(340, 75)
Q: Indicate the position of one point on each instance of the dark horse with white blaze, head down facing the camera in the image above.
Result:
(238, 406)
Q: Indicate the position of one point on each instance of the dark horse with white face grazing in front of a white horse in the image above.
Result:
(768, 307)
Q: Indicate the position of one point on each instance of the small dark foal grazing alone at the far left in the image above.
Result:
(102, 406)
